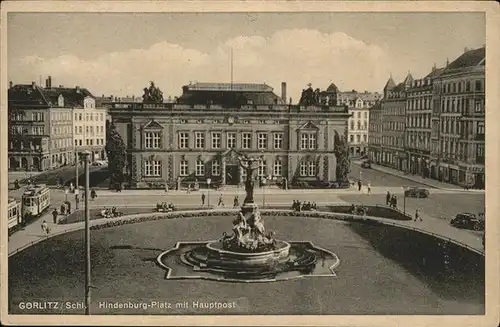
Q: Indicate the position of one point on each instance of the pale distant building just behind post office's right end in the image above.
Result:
(359, 107)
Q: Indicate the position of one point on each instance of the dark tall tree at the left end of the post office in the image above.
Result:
(116, 152)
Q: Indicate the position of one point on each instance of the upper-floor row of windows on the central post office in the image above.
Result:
(308, 141)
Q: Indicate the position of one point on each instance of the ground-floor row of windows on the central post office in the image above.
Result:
(153, 168)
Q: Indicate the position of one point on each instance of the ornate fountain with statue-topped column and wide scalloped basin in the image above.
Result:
(249, 254)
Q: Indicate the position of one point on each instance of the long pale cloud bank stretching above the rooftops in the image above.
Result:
(297, 56)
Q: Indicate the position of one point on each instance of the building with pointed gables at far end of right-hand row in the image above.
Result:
(394, 153)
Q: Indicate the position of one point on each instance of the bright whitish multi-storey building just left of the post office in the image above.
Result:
(89, 125)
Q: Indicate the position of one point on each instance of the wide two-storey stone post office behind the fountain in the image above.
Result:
(202, 134)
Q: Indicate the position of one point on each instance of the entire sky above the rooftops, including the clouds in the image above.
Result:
(119, 53)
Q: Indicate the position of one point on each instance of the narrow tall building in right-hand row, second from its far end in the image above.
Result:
(418, 124)
